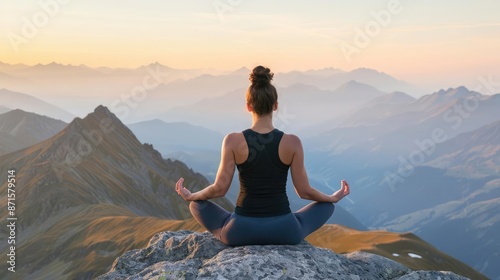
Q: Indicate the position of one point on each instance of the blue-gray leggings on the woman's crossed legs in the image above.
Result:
(237, 230)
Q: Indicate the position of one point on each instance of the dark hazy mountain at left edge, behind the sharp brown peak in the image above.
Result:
(19, 129)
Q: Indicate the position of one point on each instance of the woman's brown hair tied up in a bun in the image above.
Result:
(261, 94)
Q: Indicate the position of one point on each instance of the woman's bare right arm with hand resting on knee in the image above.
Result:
(301, 181)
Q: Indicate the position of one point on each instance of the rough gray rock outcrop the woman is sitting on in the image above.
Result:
(190, 255)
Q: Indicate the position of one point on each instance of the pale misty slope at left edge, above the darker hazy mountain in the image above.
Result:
(17, 100)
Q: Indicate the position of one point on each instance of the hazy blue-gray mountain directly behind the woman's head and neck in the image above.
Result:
(298, 107)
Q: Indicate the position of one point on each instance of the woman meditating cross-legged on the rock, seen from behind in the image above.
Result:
(263, 156)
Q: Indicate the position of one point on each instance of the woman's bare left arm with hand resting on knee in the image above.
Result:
(223, 179)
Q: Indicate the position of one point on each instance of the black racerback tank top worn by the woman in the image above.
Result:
(262, 177)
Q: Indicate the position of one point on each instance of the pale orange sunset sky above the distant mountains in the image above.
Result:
(428, 43)
